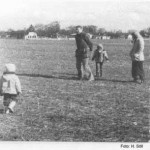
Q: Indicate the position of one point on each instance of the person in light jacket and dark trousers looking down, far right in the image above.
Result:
(137, 57)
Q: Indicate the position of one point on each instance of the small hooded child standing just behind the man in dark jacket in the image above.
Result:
(99, 56)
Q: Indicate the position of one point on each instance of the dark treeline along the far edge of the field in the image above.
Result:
(53, 30)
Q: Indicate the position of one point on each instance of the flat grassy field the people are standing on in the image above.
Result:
(55, 106)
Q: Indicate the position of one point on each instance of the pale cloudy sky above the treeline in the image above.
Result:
(109, 14)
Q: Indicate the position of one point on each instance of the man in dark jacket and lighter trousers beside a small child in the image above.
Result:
(83, 43)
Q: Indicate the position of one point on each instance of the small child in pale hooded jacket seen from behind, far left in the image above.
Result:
(10, 87)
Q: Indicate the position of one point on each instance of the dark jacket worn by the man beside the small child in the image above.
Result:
(83, 44)
